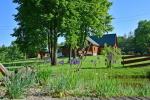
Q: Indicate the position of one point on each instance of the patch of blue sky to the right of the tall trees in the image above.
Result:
(128, 13)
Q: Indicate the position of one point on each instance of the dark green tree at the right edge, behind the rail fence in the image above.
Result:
(142, 37)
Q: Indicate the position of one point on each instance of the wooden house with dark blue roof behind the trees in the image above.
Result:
(97, 43)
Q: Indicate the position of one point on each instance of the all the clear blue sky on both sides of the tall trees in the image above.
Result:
(126, 14)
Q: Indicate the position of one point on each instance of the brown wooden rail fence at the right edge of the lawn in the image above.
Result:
(136, 60)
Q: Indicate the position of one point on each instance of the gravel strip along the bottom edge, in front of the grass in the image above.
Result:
(32, 96)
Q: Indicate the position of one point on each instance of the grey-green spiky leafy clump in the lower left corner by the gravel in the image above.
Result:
(17, 84)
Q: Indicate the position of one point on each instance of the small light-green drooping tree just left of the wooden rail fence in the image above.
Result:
(112, 55)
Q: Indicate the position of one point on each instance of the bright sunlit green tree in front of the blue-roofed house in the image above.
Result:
(85, 18)
